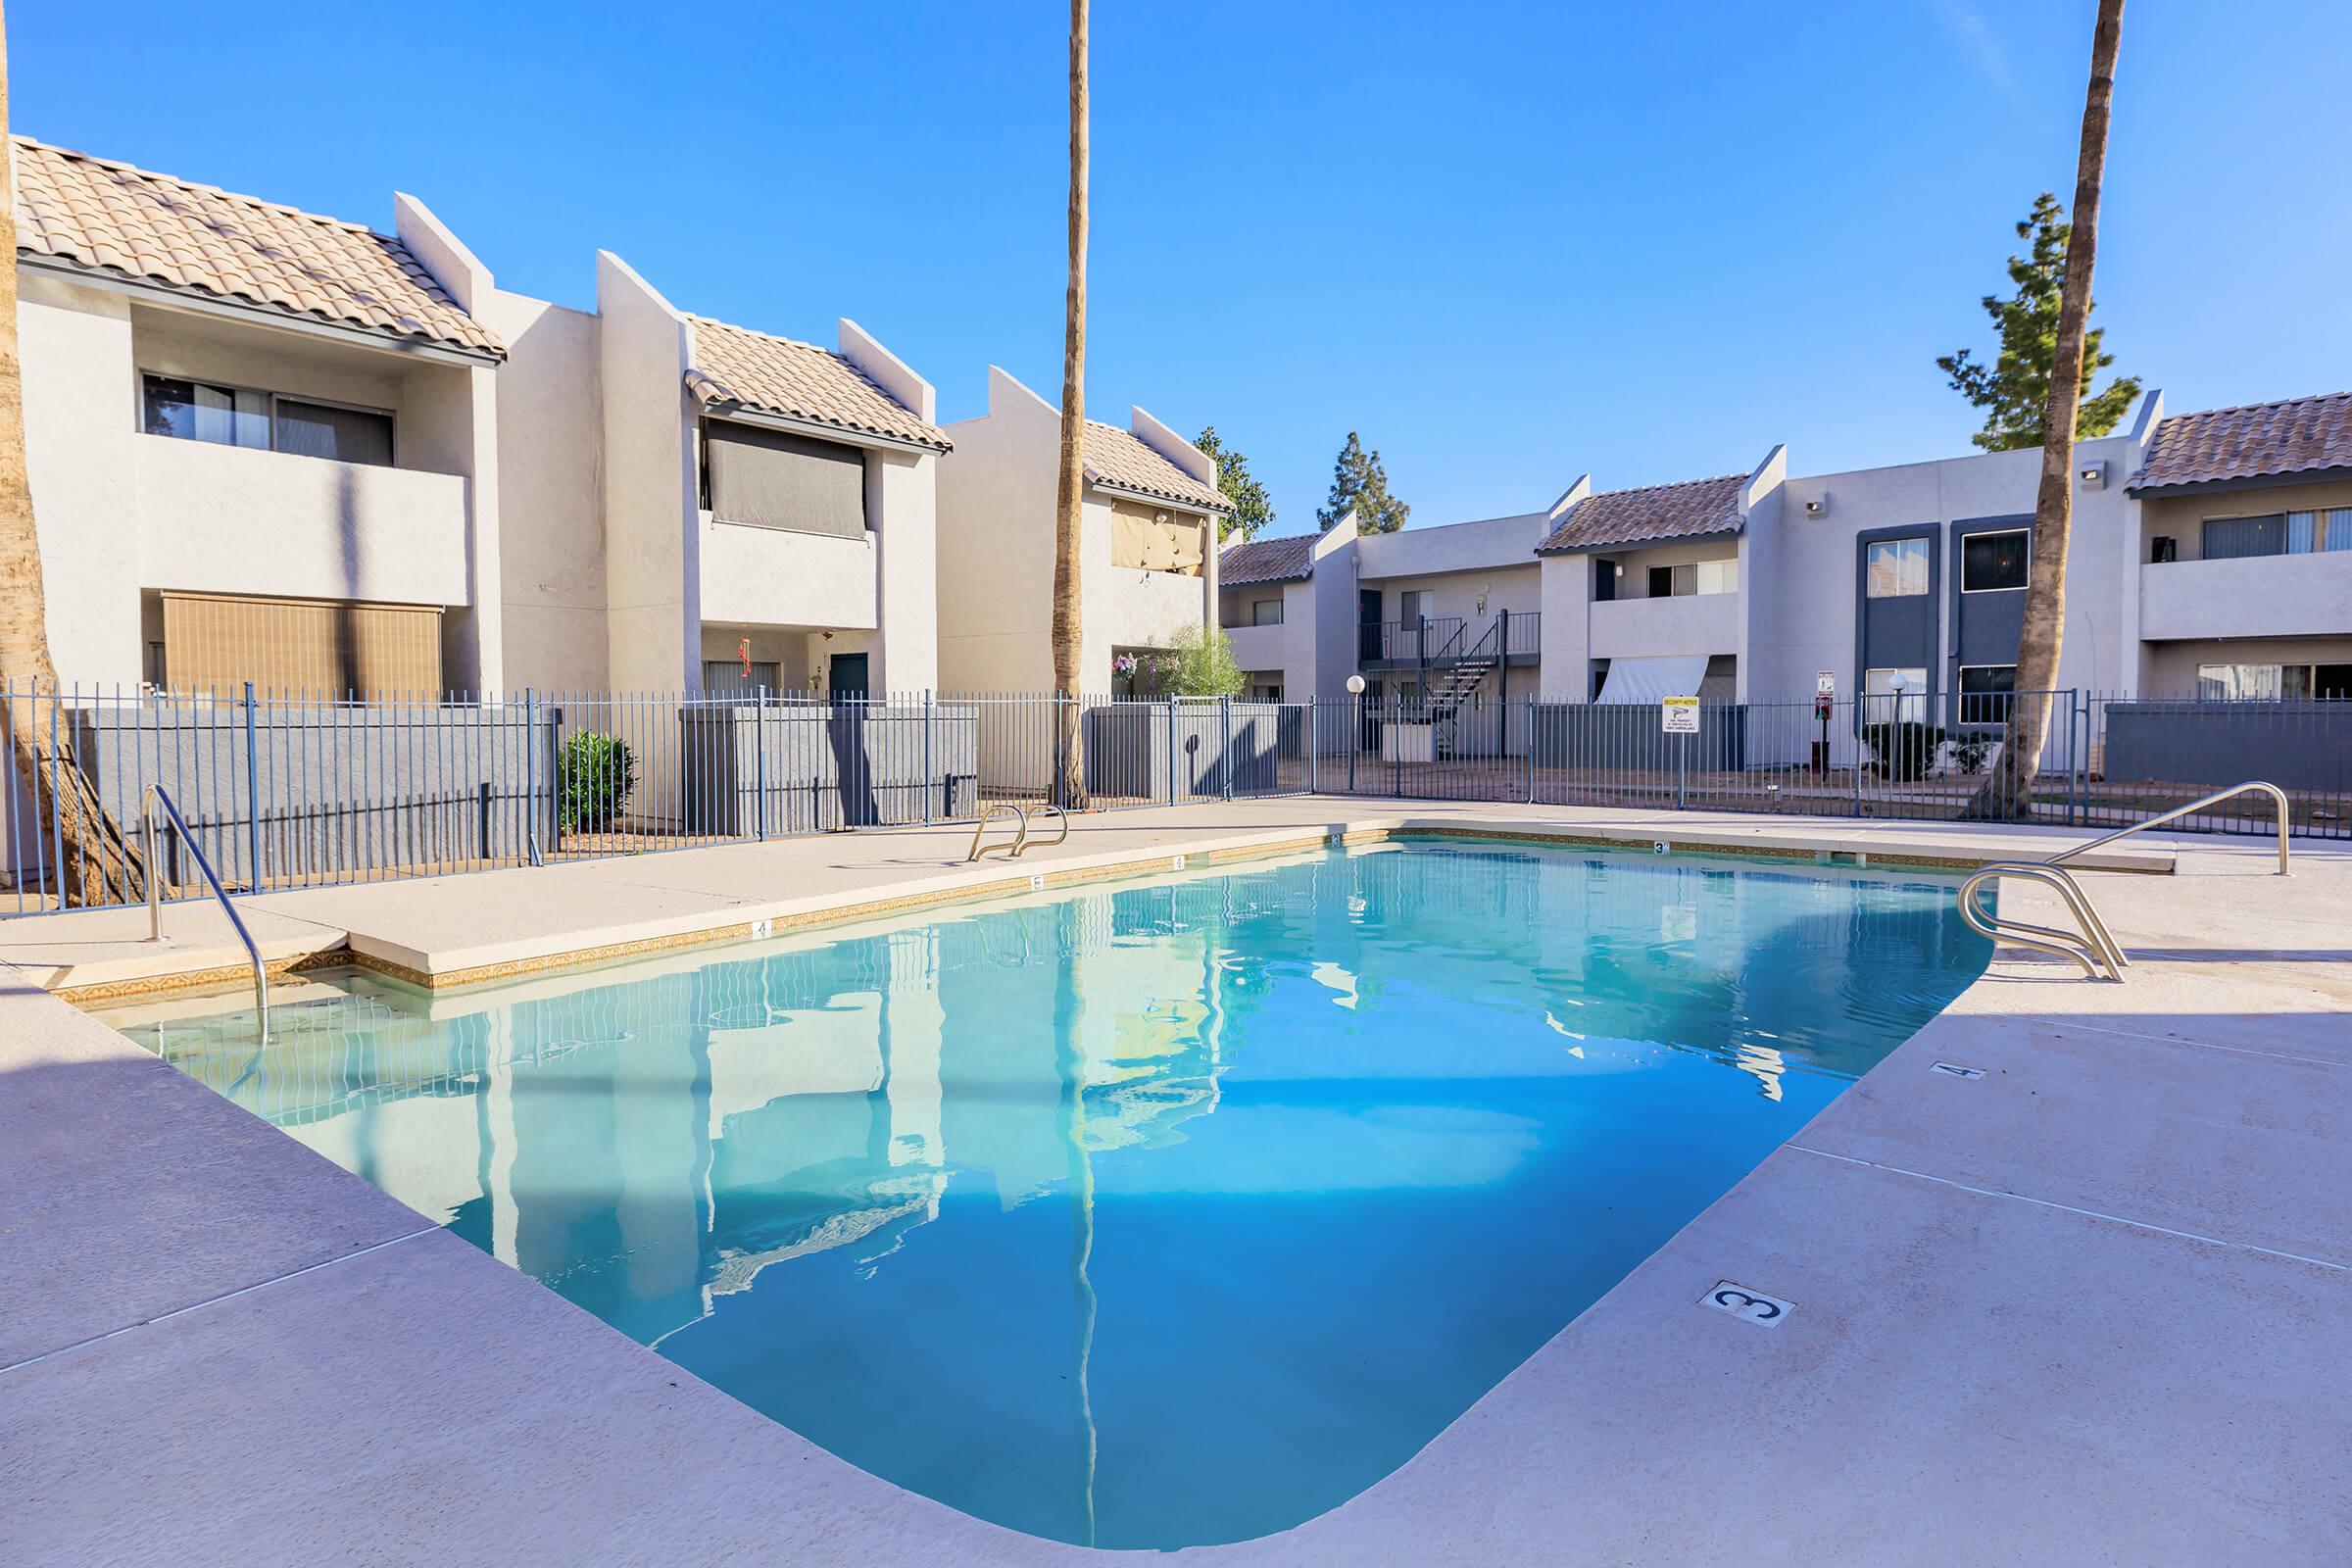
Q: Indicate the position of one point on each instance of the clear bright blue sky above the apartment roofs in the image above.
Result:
(1506, 243)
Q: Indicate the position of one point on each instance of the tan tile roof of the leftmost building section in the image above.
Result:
(156, 229)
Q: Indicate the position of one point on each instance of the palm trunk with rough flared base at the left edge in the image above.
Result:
(93, 859)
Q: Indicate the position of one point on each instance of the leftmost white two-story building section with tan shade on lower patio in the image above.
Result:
(262, 443)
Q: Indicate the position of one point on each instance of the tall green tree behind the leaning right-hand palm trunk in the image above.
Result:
(2017, 387)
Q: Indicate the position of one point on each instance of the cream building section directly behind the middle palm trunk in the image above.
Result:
(1149, 563)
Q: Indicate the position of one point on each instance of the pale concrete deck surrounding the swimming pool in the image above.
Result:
(2092, 1306)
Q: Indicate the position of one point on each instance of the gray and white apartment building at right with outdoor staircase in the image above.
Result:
(2210, 558)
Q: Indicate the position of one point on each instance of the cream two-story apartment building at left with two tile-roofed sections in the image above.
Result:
(286, 448)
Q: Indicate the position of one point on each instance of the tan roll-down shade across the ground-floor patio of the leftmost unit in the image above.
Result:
(300, 648)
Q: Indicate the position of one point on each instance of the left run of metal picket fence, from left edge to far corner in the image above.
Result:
(309, 793)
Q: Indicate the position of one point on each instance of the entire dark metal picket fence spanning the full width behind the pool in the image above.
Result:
(305, 793)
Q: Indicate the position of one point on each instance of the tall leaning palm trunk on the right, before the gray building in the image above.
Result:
(2010, 786)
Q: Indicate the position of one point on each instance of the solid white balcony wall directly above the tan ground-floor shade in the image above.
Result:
(269, 523)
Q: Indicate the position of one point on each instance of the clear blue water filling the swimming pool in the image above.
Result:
(1149, 1217)
